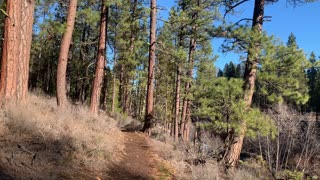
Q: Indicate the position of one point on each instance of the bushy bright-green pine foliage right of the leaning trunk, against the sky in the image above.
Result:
(282, 77)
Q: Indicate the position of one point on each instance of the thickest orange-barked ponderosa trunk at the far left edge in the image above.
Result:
(16, 50)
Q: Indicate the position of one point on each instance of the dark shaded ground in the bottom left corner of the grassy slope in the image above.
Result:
(25, 155)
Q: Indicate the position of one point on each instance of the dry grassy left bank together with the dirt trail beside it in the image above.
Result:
(40, 141)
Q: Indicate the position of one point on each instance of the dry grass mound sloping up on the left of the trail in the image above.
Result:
(41, 140)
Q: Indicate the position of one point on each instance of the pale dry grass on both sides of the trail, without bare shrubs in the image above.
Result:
(40, 141)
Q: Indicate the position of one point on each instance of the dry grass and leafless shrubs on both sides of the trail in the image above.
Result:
(40, 141)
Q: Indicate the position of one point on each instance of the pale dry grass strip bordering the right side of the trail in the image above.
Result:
(180, 154)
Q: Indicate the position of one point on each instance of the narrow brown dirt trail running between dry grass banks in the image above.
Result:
(139, 161)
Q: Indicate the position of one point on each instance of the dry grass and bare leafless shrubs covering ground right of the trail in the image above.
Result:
(292, 154)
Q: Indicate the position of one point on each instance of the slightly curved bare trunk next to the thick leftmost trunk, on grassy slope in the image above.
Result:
(64, 52)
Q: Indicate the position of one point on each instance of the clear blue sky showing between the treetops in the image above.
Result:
(303, 21)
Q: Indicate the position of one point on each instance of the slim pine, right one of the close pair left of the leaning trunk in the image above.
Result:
(200, 15)
